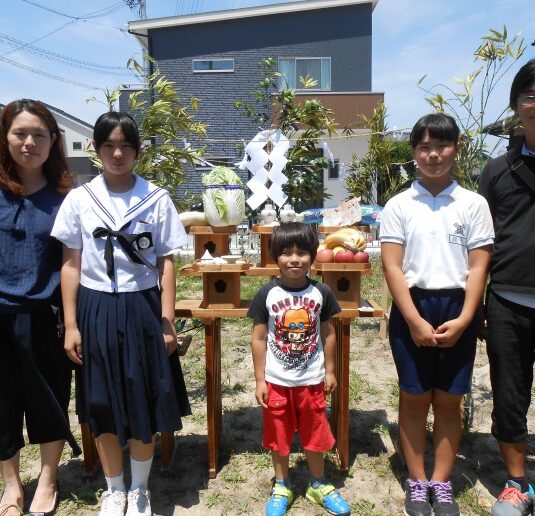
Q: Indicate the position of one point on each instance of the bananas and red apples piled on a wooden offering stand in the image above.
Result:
(343, 246)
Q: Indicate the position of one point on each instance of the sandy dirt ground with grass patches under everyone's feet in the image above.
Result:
(374, 483)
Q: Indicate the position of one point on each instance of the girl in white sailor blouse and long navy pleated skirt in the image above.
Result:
(118, 284)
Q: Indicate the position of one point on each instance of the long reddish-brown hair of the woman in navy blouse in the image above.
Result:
(55, 168)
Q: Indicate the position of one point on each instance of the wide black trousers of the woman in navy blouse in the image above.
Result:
(35, 381)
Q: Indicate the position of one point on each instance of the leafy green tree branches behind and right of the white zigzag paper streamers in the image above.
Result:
(304, 123)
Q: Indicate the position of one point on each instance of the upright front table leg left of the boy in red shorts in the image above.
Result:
(212, 341)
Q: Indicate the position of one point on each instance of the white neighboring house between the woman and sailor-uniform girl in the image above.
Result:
(76, 135)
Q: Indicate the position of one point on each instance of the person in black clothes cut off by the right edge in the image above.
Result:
(508, 184)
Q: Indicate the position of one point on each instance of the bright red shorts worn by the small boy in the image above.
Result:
(300, 409)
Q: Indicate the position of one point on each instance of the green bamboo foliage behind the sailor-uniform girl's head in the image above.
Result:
(163, 121)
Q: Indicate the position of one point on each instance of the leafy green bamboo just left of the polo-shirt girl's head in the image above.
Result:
(377, 175)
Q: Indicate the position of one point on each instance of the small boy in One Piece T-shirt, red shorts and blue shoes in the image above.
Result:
(293, 354)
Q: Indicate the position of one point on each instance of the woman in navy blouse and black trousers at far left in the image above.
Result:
(34, 373)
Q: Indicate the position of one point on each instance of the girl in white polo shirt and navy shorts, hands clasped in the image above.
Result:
(436, 242)
